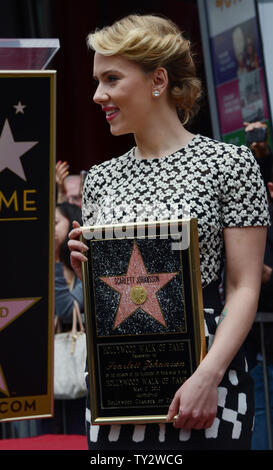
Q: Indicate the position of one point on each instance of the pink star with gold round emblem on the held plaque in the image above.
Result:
(136, 290)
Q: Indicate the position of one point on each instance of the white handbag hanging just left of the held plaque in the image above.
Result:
(70, 359)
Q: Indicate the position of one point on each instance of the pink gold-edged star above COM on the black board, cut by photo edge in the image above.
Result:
(10, 310)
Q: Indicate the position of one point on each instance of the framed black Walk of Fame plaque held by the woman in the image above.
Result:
(144, 317)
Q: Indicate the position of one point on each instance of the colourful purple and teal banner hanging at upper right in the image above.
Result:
(238, 67)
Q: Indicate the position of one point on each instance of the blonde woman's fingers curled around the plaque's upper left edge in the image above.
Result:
(77, 249)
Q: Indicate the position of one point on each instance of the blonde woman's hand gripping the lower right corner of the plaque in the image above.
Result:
(195, 403)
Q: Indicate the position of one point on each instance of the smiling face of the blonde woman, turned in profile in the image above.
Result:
(124, 92)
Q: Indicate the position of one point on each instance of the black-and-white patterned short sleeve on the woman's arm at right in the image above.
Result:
(243, 194)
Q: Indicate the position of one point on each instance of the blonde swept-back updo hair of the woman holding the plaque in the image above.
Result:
(152, 42)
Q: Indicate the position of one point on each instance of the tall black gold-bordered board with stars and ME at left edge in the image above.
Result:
(27, 203)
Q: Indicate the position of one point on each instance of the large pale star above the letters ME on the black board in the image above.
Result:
(11, 151)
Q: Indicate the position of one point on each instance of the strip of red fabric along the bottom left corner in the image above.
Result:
(46, 442)
